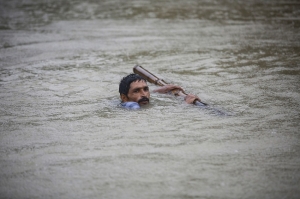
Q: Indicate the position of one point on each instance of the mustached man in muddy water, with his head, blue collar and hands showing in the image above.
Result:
(134, 92)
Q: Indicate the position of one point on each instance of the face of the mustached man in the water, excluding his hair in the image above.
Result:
(138, 92)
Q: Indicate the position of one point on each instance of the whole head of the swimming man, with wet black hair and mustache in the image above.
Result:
(134, 88)
